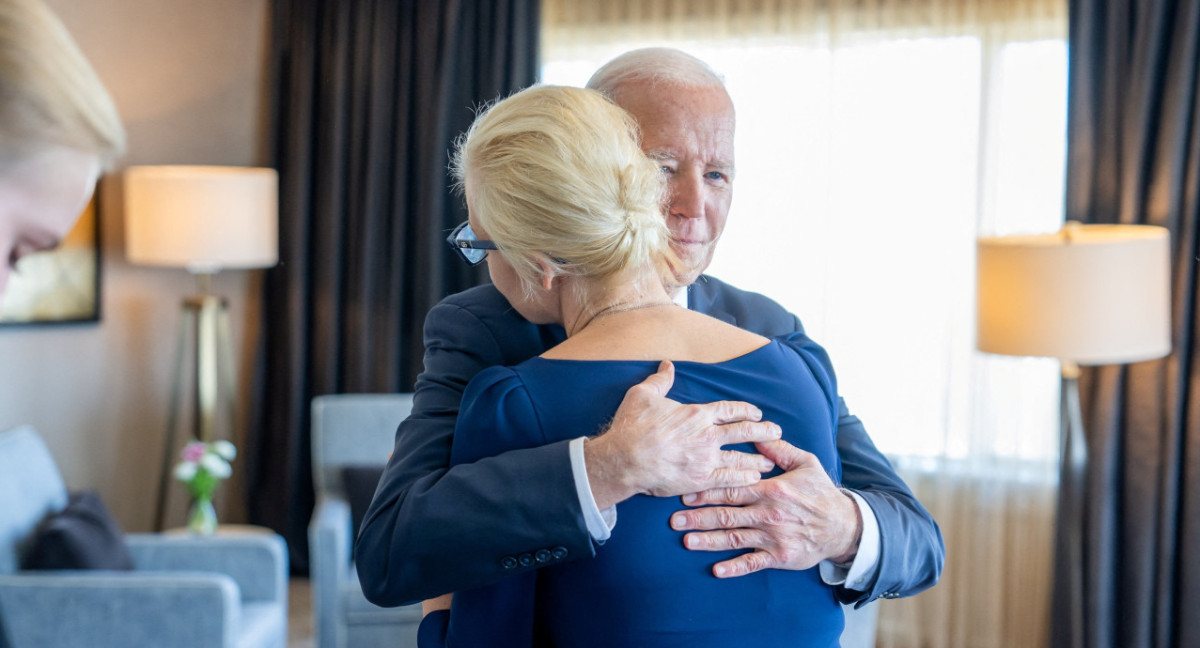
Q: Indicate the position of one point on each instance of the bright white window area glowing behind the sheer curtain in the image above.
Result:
(866, 172)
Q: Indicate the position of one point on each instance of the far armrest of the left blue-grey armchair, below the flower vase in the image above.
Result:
(257, 562)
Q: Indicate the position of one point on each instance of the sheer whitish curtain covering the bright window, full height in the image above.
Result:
(877, 141)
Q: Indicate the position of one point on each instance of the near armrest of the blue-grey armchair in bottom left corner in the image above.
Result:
(119, 609)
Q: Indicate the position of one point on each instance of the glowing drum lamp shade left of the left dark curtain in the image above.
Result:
(203, 219)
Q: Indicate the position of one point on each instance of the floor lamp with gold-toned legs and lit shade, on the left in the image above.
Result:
(202, 219)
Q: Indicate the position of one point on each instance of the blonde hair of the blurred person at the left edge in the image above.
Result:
(50, 93)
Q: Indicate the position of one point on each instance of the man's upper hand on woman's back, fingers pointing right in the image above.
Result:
(662, 448)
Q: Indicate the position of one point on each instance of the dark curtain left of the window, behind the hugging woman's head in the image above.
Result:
(367, 100)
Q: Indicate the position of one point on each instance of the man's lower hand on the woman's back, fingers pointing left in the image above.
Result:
(791, 521)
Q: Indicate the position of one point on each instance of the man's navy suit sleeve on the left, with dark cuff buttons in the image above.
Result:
(431, 529)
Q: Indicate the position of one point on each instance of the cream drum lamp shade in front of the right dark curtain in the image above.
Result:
(1093, 295)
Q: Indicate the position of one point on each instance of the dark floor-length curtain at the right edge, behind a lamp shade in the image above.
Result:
(1135, 158)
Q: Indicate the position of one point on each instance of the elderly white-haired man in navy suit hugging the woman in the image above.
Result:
(433, 530)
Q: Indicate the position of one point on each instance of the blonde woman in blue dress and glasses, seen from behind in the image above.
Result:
(560, 193)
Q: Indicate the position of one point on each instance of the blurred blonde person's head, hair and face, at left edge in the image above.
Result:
(59, 130)
